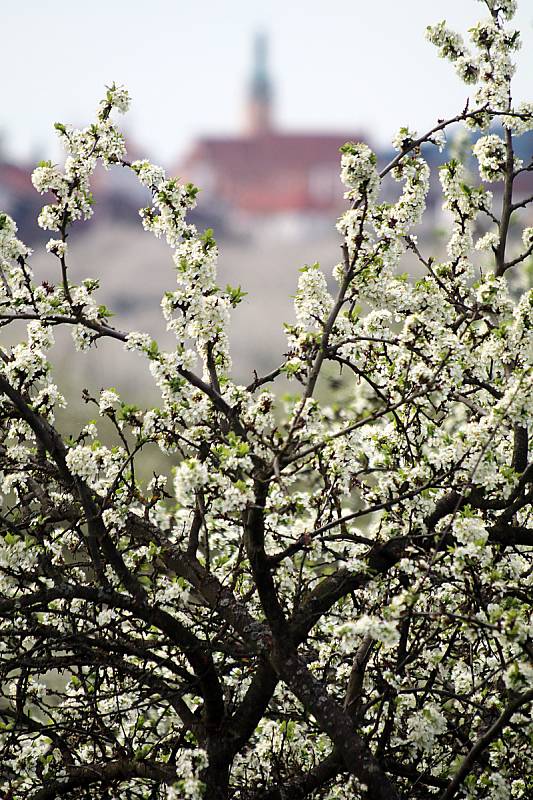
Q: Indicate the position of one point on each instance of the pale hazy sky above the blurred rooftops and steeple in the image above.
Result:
(344, 65)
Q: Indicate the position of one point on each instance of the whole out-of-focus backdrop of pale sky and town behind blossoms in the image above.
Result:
(249, 100)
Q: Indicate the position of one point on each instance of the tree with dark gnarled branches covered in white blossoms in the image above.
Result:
(326, 601)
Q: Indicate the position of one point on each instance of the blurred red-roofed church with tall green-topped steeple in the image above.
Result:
(266, 171)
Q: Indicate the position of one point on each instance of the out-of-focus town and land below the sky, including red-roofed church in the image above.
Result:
(272, 198)
